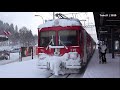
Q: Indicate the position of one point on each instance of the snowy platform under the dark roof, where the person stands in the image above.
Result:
(109, 70)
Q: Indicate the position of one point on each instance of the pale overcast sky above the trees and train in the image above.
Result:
(29, 20)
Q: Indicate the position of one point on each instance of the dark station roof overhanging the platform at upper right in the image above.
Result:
(107, 23)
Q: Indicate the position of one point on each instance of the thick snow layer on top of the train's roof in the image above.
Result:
(61, 22)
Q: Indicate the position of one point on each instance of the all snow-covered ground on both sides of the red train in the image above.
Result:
(27, 68)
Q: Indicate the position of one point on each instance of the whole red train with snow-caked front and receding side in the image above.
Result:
(65, 38)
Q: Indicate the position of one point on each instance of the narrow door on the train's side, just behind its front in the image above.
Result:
(85, 47)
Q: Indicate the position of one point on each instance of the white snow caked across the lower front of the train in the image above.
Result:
(58, 63)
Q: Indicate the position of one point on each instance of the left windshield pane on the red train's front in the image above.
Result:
(47, 38)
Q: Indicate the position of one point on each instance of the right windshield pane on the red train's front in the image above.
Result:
(68, 37)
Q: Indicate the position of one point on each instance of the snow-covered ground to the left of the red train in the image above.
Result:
(24, 69)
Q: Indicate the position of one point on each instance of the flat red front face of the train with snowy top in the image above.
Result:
(60, 40)
